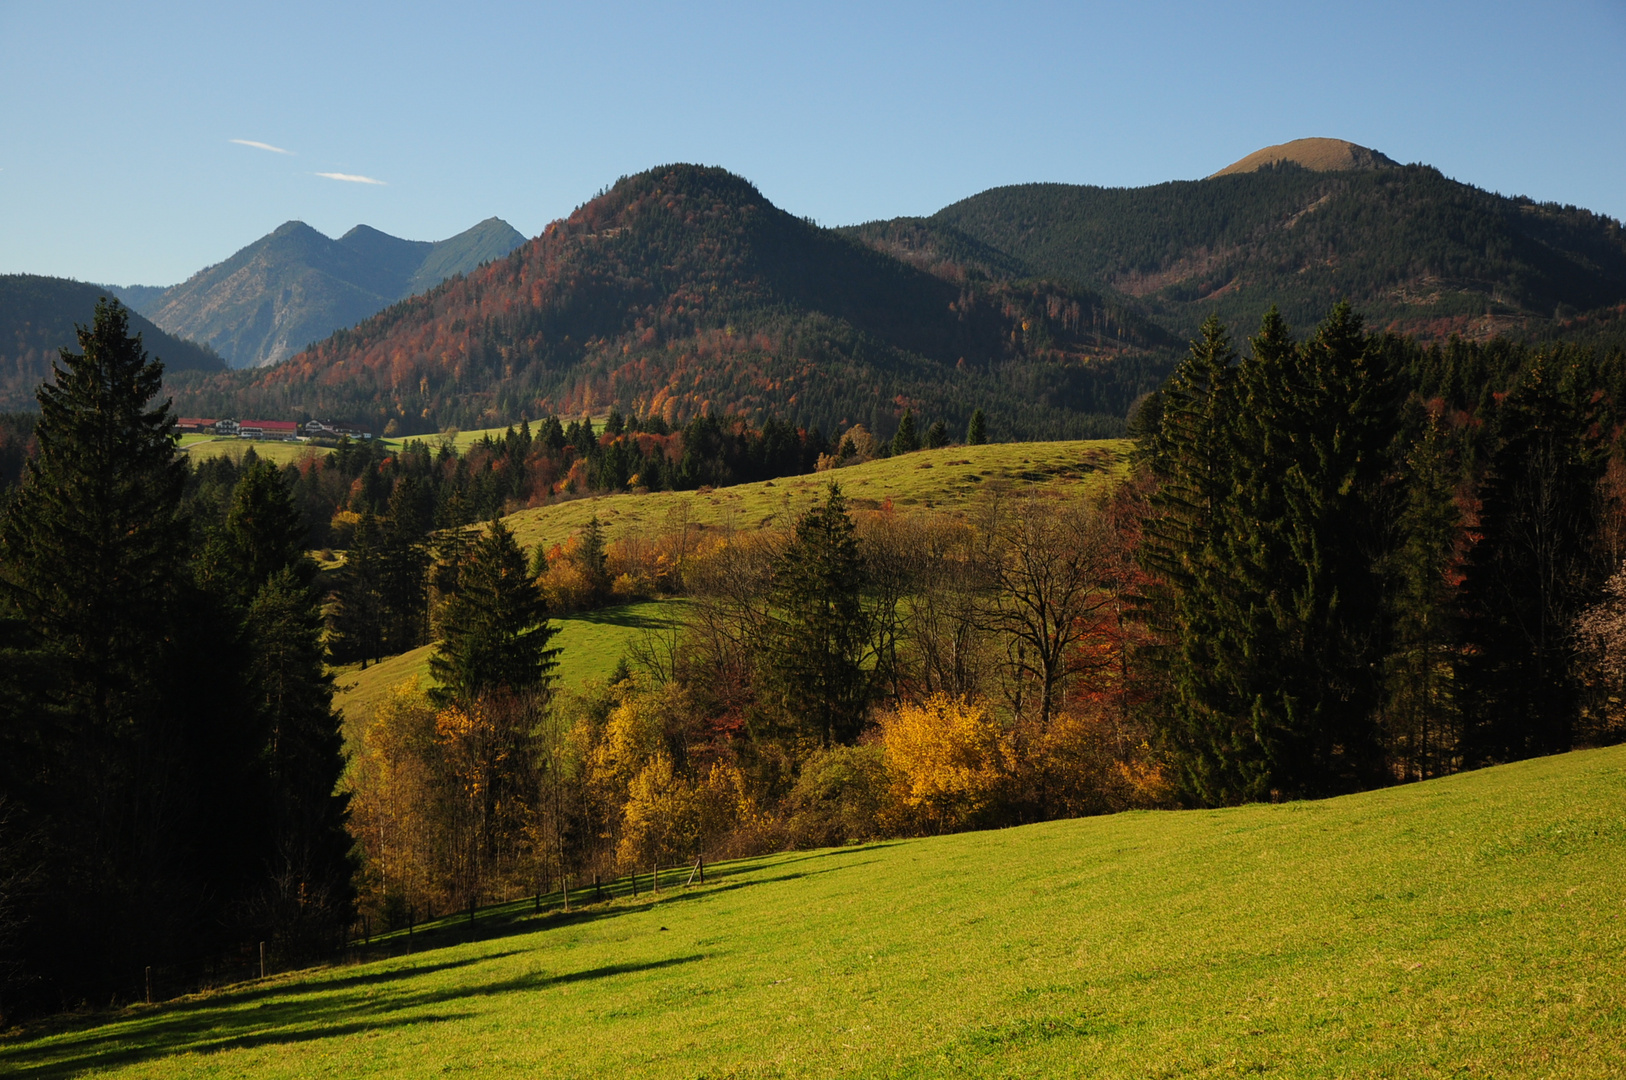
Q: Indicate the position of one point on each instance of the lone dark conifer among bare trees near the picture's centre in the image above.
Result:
(817, 653)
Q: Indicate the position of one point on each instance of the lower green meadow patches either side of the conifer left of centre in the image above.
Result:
(591, 645)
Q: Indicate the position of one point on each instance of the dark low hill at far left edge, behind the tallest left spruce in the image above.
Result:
(37, 320)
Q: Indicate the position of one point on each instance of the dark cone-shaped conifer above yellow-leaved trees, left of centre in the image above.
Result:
(495, 630)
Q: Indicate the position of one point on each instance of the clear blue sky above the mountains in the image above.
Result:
(118, 120)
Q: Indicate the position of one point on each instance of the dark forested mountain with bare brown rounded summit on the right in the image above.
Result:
(1417, 251)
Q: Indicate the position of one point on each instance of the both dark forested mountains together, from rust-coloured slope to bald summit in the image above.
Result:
(1051, 307)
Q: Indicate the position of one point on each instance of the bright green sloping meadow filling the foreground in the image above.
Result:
(1461, 928)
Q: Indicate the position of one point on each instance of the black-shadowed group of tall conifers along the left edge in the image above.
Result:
(168, 746)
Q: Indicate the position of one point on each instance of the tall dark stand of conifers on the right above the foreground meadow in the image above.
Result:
(1375, 562)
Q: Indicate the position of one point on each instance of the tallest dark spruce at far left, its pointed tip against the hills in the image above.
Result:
(97, 590)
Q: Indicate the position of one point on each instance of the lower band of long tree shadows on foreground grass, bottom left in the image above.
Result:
(302, 1014)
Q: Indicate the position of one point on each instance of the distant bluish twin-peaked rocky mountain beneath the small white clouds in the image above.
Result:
(295, 287)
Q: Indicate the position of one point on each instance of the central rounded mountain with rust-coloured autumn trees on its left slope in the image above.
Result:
(684, 292)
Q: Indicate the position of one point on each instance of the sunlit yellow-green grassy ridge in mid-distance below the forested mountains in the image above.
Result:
(929, 481)
